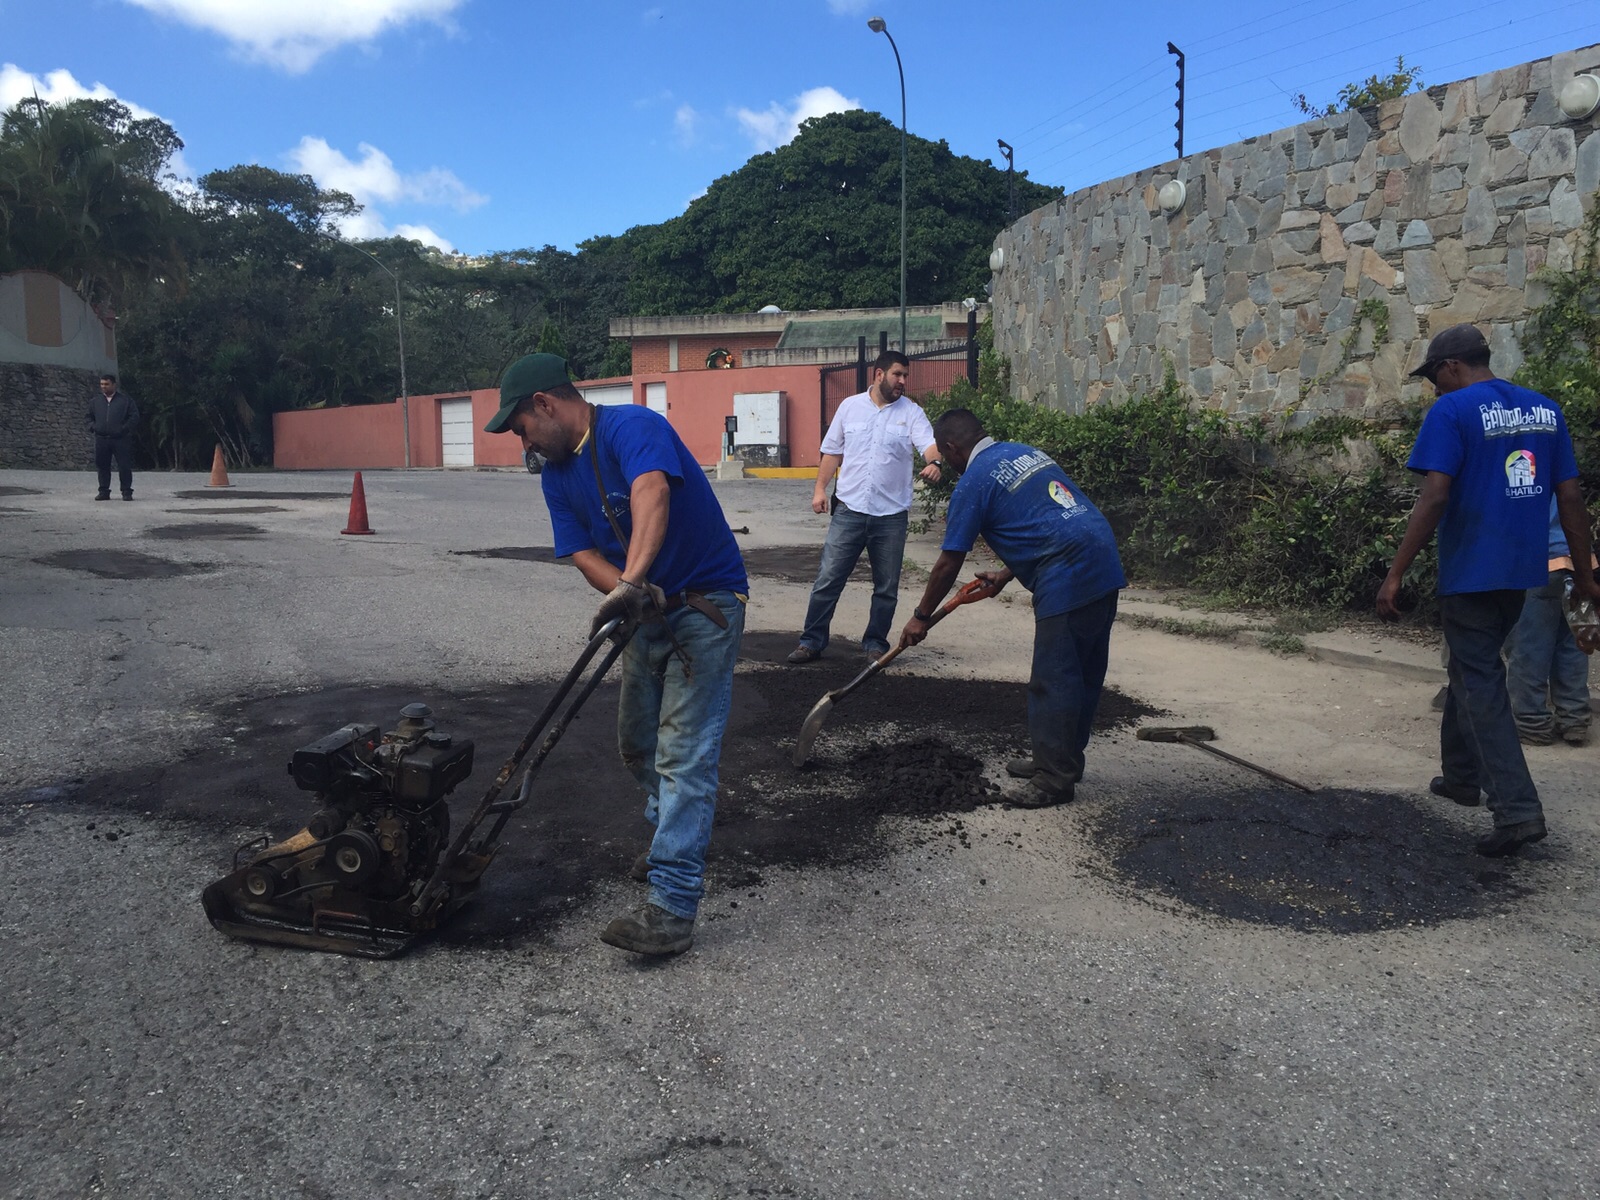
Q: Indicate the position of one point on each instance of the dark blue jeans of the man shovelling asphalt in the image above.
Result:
(1070, 670)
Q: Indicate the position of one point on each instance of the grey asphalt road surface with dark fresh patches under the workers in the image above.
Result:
(1190, 983)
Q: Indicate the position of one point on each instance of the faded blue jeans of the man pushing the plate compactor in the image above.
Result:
(670, 730)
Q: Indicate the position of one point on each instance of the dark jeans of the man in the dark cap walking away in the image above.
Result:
(1478, 738)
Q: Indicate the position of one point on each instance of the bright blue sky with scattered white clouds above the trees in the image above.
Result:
(489, 126)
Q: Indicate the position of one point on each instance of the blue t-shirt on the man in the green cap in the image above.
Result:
(698, 553)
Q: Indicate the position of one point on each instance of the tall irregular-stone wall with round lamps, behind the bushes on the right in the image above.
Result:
(1442, 207)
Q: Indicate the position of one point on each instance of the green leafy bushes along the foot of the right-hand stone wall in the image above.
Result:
(1254, 513)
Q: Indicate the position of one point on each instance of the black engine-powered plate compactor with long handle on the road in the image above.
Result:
(377, 865)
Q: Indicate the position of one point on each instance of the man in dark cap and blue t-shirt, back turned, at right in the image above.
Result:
(1492, 457)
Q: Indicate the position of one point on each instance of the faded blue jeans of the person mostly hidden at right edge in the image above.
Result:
(1545, 668)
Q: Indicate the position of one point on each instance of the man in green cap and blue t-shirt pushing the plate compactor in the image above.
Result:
(639, 521)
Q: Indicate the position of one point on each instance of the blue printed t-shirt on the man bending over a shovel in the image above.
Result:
(1042, 527)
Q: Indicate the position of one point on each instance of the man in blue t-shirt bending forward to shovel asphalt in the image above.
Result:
(1060, 546)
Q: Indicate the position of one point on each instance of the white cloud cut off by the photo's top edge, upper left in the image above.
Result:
(294, 34)
